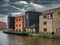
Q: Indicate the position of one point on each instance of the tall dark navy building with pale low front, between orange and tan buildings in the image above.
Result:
(32, 21)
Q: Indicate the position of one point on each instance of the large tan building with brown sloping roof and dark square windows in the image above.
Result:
(49, 21)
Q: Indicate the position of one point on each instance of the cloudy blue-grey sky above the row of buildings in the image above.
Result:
(20, 6)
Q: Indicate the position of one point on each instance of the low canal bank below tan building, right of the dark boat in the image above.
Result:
(55, 36)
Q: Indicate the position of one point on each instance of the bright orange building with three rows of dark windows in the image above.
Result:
(20, 23)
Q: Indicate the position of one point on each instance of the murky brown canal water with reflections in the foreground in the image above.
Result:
(6, 39)
